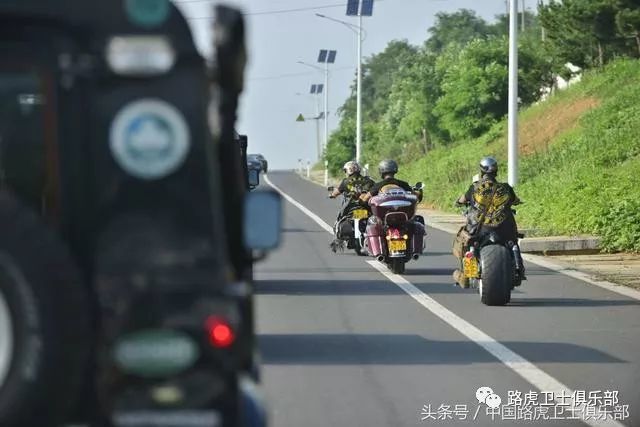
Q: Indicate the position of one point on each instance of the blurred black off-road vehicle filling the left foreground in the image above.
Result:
(160, 258)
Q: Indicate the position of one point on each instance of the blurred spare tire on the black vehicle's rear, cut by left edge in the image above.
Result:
(45, 326)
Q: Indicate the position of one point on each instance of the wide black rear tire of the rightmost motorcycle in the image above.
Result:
(497, 275)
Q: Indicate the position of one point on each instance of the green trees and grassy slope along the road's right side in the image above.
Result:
(438, 108)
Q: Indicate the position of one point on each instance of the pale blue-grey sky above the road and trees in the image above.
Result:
(277, 87)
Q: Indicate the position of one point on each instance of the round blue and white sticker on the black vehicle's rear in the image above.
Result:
(149, 138)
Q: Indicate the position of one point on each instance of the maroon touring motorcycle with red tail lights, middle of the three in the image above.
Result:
(394, 234)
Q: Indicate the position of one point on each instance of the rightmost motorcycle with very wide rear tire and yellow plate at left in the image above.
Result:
(490, 264)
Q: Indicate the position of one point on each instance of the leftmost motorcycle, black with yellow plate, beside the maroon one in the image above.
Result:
(351, 224)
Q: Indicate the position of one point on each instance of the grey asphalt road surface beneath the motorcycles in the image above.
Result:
(343, 345)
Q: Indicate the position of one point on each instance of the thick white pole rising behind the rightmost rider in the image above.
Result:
(513, 94)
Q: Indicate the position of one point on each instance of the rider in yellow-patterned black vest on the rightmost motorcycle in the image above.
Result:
(490, 204)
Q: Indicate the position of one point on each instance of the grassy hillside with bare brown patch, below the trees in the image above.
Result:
(579, 164)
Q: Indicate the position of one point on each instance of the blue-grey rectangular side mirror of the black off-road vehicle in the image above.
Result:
(262, 220)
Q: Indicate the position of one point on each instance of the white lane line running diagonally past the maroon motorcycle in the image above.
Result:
(515, 362)
